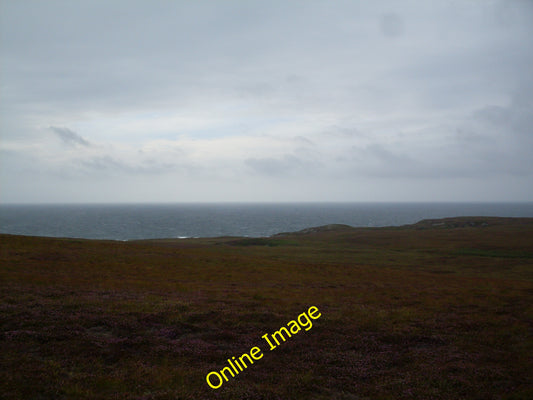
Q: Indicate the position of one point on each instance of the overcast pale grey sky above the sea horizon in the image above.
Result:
(179, 101)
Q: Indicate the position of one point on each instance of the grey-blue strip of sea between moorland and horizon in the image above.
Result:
(148, 221)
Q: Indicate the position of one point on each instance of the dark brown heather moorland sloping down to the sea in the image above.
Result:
(441, 309)
